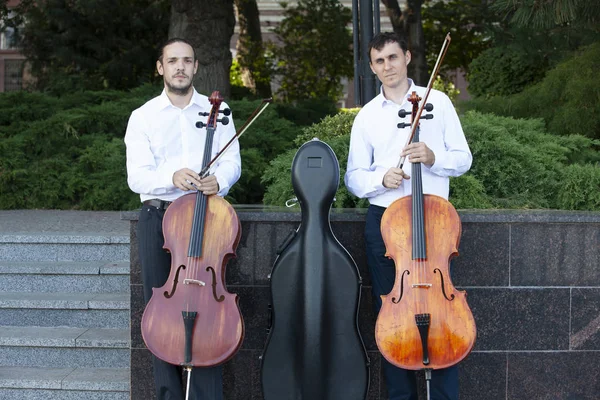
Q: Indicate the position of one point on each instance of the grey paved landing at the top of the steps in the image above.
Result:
(49, 222)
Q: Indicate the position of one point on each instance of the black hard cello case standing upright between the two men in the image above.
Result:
(314, 350)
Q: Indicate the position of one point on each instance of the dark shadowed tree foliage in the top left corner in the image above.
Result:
(91, 44)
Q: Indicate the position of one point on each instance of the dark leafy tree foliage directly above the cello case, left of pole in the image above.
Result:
(314, 52)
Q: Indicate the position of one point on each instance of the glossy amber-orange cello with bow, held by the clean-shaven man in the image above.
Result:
(424, 322)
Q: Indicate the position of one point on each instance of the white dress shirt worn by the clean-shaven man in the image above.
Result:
(376, 144)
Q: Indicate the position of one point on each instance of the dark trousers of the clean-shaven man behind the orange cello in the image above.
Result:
(401, 383)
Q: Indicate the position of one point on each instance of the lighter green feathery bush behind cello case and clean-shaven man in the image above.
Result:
(516, 164)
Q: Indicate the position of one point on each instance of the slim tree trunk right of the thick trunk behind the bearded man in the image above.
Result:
(250, 51)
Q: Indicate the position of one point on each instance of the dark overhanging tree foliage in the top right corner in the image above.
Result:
(535, 36)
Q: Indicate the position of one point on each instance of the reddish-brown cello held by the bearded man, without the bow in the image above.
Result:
(192, 320)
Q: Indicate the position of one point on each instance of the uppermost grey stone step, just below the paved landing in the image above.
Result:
(40, 247)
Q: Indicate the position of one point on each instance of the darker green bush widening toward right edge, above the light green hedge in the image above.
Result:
(567, 98)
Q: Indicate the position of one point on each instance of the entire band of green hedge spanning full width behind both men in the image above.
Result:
(69, 154)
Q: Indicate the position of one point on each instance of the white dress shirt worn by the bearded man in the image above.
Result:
(162, 139)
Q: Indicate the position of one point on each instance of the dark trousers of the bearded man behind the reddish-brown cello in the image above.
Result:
(206, 383)
